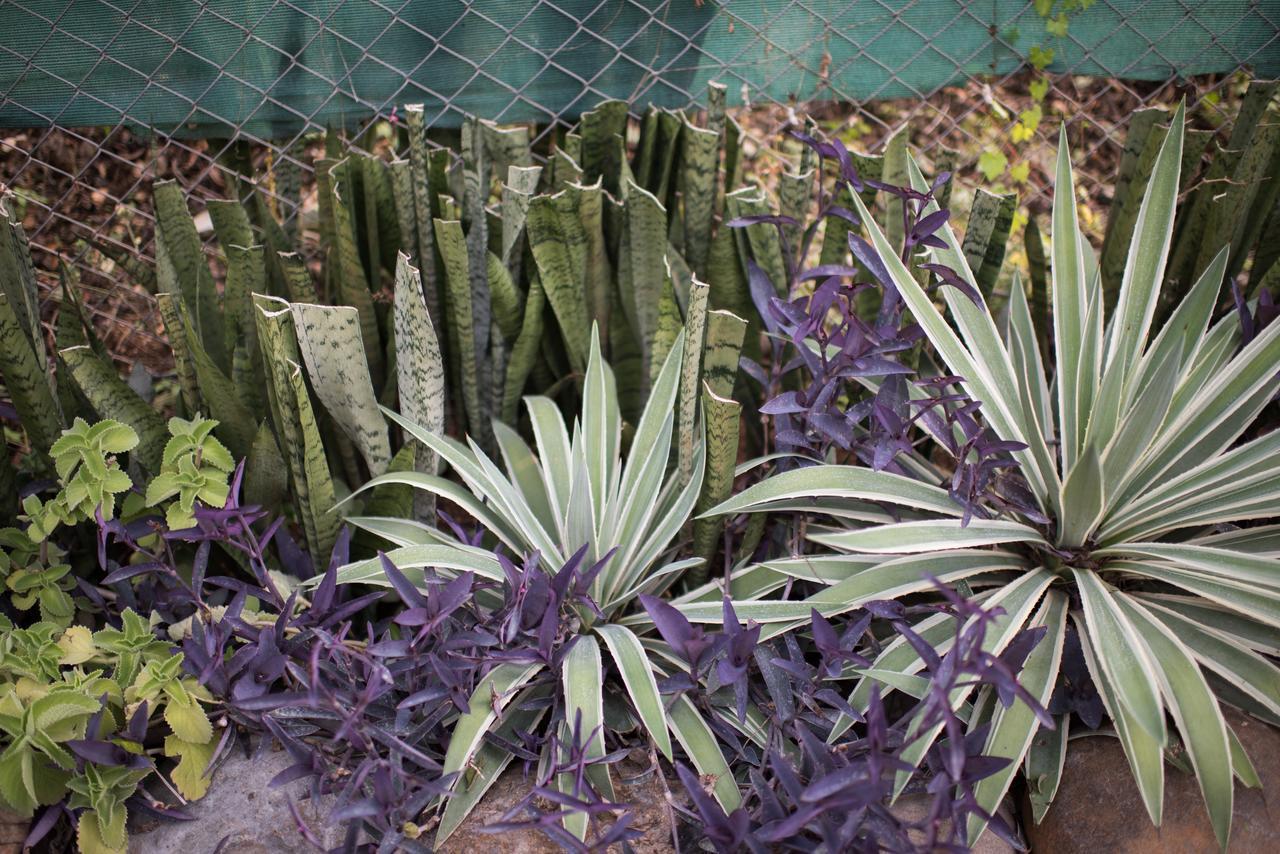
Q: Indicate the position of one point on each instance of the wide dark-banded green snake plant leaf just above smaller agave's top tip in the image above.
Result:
(559, 278)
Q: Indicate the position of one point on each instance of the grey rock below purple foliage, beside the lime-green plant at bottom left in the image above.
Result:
(243, 807)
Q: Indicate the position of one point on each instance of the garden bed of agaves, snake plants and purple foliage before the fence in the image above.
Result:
(611, 500)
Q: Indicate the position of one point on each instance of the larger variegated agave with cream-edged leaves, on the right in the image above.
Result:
(1137, 455)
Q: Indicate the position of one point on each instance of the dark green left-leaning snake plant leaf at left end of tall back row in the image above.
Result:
(184, 250)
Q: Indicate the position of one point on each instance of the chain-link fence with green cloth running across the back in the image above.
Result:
(99, 98)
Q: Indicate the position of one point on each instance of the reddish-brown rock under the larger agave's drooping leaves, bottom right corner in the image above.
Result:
(1098, 807)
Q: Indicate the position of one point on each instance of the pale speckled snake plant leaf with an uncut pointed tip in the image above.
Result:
(420, 372)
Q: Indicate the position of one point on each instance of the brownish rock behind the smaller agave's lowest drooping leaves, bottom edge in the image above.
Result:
(636, 784)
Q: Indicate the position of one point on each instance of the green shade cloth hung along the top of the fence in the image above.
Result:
(273, 67)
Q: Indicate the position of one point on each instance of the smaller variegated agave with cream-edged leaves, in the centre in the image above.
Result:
(575, 491)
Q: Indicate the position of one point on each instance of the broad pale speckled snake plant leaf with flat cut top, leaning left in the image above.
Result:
(331, 346)
